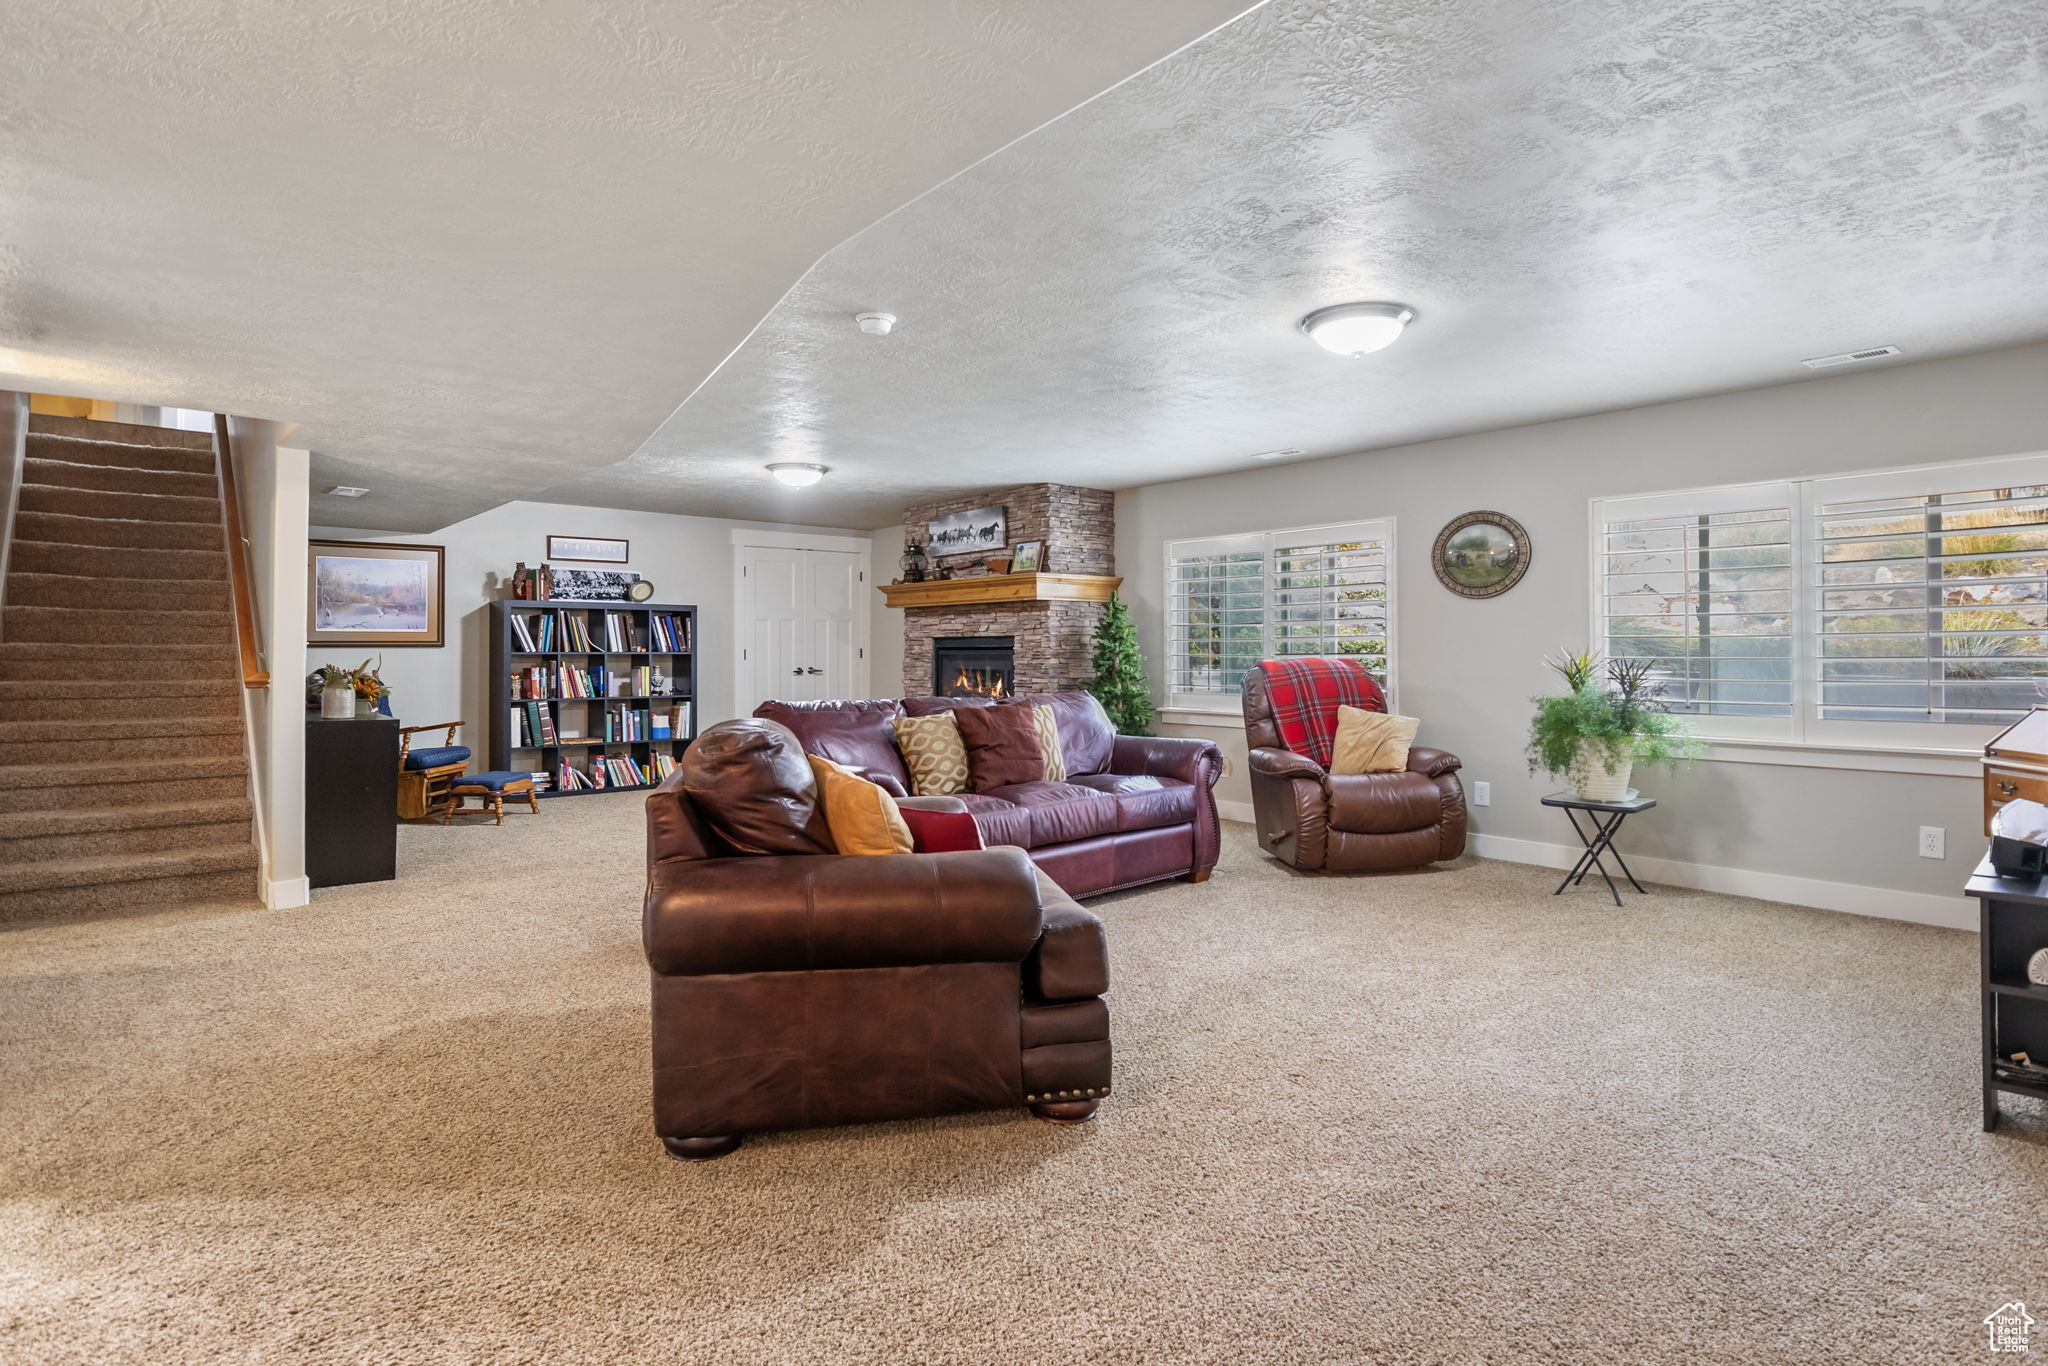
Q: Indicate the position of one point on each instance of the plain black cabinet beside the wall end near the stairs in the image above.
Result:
(351, 802)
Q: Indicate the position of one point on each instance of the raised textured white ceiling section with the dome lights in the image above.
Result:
(1590, 206)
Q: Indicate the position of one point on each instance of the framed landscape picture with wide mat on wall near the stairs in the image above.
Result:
(374, 593)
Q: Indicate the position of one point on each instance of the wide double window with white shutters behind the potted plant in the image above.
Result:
(1889, 609)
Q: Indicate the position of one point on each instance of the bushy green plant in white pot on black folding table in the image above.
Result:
(1609, 722)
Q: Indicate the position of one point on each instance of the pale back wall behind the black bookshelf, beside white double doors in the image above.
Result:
(689, 560)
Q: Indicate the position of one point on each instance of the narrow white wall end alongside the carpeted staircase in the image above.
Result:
(273, 493)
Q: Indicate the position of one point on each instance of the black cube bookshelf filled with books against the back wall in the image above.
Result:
(579, 730)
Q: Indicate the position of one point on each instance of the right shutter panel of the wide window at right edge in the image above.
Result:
(1932, 607)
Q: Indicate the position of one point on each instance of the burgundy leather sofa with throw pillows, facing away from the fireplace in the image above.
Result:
(1134, 808)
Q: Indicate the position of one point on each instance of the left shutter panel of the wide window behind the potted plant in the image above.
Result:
(1703, 587)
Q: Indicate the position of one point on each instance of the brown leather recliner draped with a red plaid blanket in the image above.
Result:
(1318, 820)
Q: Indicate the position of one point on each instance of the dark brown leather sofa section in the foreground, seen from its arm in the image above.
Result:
(800, 988)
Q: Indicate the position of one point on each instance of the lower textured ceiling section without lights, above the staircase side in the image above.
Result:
(476, 247)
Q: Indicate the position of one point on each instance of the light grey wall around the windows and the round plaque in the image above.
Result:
(1469, 669)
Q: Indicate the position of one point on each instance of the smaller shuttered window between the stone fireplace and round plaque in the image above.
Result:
(1234, 601)
